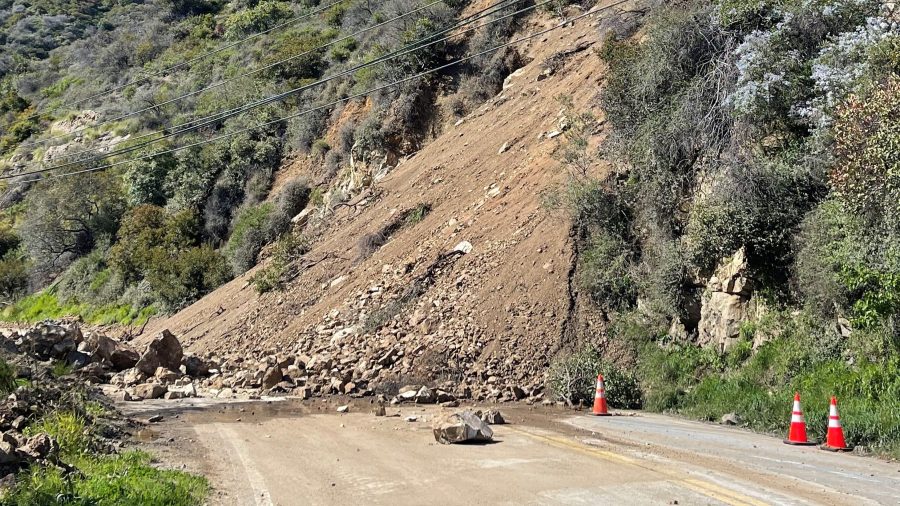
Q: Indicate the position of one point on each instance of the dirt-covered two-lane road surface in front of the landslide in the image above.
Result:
(291, 454)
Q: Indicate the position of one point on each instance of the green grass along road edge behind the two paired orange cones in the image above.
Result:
(699, 384)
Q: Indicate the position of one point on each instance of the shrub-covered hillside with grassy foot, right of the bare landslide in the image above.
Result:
(754, 210)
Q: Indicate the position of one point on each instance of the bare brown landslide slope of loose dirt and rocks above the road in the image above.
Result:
(499, 310)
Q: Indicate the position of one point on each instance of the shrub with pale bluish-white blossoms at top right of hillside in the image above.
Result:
(802, 59)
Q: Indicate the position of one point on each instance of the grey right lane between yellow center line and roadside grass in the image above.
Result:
(737, 457)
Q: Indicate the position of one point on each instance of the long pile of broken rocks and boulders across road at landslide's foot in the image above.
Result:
(164, 370)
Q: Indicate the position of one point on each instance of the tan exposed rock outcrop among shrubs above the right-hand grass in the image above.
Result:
(726, 303)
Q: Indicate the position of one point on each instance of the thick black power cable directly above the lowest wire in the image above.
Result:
(212, 119)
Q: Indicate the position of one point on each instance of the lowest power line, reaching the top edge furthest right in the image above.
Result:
(336, 102)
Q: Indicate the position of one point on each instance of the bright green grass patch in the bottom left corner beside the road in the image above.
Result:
(128, 478)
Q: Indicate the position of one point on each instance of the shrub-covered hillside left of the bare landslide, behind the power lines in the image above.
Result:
(153, 235)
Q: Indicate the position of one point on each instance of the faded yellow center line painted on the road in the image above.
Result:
(704, 487)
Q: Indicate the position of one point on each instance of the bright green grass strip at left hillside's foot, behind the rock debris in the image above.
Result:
(46, 305)
